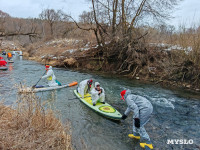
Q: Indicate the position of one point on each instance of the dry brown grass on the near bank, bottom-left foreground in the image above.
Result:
(31, 126)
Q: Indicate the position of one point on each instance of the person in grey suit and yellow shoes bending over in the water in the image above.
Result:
(142, 110)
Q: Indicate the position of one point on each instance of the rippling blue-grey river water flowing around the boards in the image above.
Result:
(175, 116)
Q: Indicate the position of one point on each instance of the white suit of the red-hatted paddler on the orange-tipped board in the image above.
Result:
(50, 77)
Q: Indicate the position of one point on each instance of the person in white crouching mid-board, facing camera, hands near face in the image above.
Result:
(98, 93)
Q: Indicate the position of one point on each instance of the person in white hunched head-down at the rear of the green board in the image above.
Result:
(85, 87)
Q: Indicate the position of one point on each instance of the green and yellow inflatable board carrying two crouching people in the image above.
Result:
(105, 110)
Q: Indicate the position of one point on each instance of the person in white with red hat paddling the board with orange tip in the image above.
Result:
(50, 76)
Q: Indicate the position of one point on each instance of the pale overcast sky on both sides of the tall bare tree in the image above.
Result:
(188, 11)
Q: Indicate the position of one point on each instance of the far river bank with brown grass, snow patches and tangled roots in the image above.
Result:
(151, 64)
